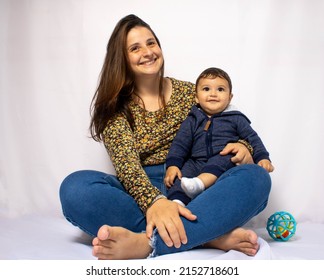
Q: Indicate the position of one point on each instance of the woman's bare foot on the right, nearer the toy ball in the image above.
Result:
(242, 240)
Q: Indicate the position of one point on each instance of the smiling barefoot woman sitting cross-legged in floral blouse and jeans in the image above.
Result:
(136, 112)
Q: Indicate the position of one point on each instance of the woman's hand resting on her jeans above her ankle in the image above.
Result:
(165, 216)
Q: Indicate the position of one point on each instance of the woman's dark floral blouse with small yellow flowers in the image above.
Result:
(149, 143)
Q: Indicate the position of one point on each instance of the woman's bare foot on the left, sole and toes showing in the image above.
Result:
(117, 243)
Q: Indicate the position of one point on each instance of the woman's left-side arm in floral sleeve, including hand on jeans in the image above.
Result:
(160, 213)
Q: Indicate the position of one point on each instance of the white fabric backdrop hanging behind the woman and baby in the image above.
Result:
(51, 53)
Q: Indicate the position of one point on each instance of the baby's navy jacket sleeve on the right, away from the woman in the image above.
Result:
(246, 132)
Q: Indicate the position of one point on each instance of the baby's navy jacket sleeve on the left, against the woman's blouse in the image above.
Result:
(181, 145)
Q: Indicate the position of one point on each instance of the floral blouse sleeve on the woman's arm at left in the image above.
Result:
(120, 145)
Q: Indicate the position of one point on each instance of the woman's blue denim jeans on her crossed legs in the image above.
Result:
(91, 199)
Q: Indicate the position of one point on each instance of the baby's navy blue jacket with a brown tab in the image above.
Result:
(201, 137)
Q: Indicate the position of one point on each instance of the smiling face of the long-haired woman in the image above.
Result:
(144, 54)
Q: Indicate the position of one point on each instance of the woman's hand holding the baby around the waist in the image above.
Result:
(242, 154)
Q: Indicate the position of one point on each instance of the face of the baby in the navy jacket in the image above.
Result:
(213, 95)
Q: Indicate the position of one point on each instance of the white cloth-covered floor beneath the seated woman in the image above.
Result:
(53, 238)
